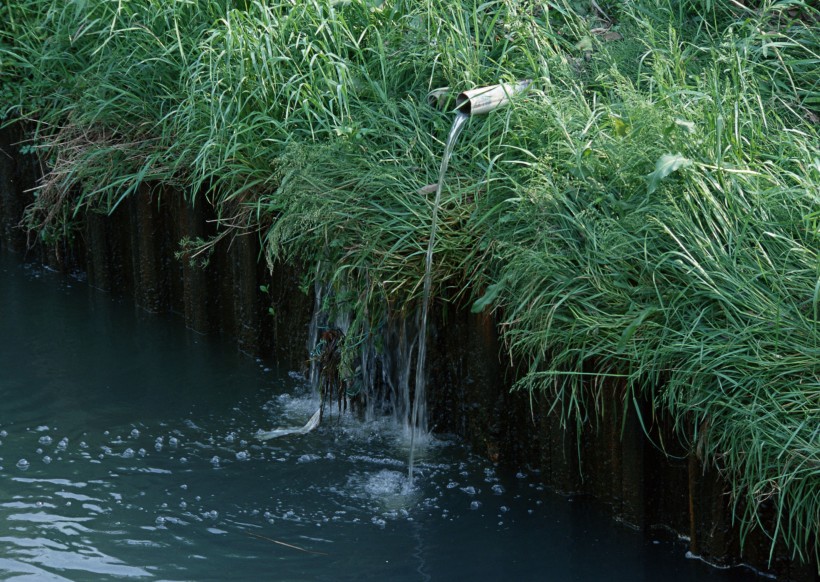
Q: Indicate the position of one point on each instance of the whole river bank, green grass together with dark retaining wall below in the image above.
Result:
(621, 265)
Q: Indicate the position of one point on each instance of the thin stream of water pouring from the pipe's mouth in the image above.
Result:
(418, 418)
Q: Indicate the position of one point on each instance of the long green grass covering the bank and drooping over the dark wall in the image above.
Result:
(649, 210)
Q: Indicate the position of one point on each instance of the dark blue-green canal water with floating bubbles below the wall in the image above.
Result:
(128, 452)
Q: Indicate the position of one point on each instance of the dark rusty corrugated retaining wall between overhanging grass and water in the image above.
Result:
(132, 252)
